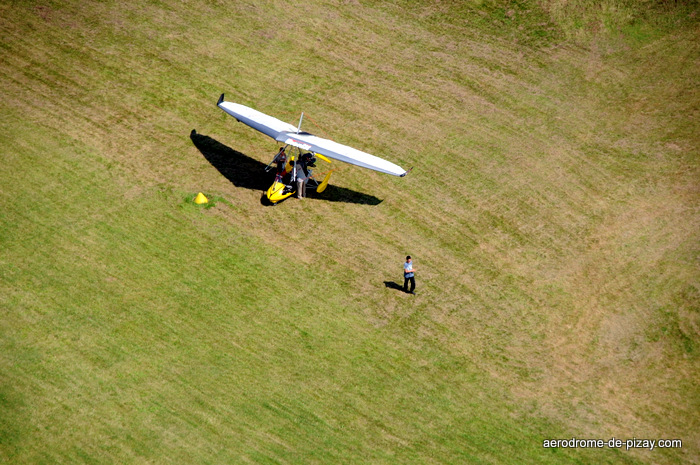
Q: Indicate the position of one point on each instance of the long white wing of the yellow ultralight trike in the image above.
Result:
(286, 133)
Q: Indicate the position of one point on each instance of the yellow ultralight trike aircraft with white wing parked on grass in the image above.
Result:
(305, 147)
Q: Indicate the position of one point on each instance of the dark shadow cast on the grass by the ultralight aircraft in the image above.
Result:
(244, 171)
